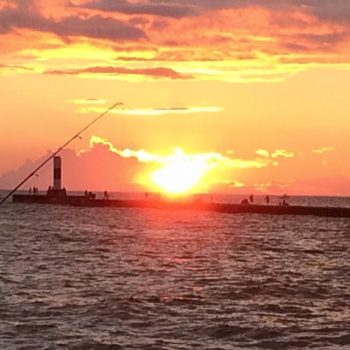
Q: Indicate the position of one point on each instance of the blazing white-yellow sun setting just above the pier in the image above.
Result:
(180, 173)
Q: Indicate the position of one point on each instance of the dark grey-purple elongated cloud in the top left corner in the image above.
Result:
(25, 16)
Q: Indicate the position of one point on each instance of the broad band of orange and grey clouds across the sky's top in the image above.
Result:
(251, 41)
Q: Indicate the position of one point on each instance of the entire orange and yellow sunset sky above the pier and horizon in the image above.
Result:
(232, 96)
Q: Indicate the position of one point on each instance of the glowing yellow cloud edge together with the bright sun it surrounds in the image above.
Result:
(179, 171)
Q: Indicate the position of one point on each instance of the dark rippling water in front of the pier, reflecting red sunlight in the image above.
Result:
(92, 278)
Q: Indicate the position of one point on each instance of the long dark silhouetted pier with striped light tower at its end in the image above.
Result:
(58, 195)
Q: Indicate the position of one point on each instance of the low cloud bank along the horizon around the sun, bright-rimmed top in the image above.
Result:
(105, 166)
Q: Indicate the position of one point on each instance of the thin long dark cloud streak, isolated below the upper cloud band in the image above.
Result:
(159, 72)
